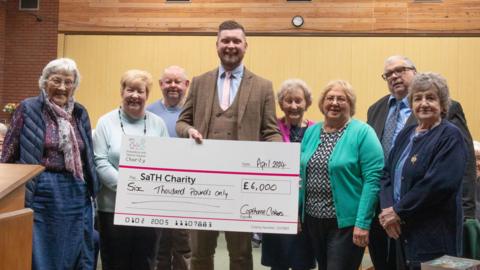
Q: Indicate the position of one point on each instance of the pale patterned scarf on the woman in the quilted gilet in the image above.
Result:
(67, 140)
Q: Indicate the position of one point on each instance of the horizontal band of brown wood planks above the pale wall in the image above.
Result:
(272, 16)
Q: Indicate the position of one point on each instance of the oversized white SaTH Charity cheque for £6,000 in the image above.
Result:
(216, 185)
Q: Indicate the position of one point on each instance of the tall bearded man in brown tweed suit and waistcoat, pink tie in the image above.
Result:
(228, 103)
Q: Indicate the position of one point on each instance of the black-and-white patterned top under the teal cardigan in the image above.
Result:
(319, 198)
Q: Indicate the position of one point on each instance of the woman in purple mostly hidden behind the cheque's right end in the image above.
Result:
(283, 251)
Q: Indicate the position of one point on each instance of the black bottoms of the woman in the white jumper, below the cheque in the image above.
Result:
(126, 247)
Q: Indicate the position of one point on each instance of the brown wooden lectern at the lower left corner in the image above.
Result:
(15, 220)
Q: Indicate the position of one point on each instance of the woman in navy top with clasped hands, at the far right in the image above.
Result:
(421, 186)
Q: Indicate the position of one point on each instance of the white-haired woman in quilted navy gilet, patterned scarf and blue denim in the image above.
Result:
(54, 131)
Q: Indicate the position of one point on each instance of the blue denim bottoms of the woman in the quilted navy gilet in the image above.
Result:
(63, 223)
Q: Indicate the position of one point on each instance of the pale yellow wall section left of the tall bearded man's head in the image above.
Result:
(103, 59)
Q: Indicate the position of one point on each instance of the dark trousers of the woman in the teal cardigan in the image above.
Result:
(333, 247)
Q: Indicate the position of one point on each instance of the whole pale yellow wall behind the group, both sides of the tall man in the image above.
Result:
(103, 58)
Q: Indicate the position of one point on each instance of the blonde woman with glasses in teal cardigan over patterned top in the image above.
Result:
(341, 164)
